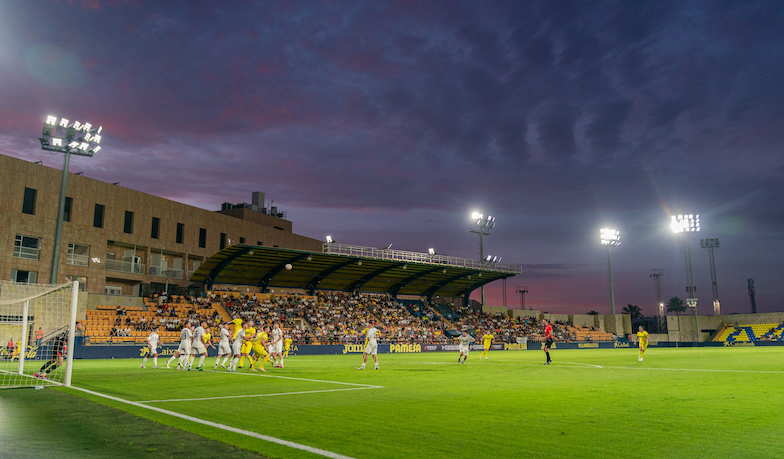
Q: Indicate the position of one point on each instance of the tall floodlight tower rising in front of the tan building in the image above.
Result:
(63, 136)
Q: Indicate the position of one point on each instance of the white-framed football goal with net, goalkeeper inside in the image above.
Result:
(37, 333)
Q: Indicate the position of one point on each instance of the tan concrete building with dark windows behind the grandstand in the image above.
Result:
(117, 240)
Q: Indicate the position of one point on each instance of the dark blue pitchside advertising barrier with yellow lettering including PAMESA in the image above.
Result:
(136, 351)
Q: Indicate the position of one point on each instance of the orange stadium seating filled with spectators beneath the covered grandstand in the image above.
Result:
(327, 318)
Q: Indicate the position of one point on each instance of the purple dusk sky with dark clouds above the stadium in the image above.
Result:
(381, 122)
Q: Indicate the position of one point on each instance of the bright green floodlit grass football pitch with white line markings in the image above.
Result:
(705, 402)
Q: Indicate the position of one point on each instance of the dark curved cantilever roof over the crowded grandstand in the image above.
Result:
(265, 267)
